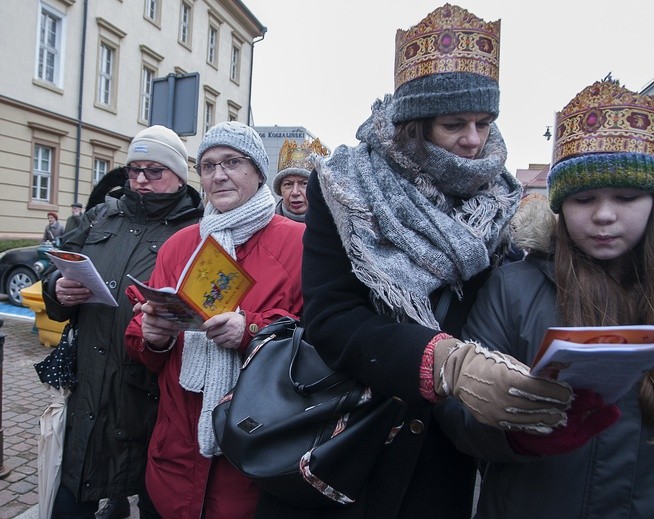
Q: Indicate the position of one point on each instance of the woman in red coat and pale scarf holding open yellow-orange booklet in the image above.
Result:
(186, 476)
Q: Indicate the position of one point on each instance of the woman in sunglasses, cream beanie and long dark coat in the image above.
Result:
(111, 413)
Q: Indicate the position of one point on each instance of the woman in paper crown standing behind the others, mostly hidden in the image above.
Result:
(293, 172)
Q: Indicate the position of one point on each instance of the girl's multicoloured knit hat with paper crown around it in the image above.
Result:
(604, 138)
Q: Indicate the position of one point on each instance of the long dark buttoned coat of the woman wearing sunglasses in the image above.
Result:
(112, 411)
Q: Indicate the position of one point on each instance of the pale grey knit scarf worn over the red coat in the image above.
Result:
(207, 368)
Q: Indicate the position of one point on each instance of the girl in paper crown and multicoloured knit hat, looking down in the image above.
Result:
(596, 270)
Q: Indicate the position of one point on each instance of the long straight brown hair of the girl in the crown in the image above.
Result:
(588, 295)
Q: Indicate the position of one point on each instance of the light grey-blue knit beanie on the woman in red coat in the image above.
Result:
(240, 137)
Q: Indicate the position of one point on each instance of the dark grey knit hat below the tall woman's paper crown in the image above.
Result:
(445, 93)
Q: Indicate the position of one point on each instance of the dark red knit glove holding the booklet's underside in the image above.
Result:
(587, 417)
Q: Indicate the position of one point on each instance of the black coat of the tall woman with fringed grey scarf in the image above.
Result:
(421, 474)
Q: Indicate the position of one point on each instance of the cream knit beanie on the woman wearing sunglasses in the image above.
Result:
(160, 144)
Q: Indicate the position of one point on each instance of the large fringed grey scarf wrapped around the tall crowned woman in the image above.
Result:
(411, 226)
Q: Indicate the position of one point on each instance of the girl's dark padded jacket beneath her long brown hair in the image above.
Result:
(611, 476)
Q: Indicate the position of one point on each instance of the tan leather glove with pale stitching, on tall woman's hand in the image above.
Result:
(497, 389)
